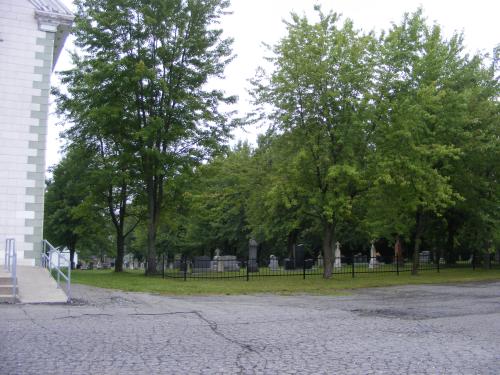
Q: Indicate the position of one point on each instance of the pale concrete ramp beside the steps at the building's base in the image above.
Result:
(36, 285)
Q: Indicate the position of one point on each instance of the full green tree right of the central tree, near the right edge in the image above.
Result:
(421, 129)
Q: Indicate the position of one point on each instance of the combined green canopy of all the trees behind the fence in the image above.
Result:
(371, 137)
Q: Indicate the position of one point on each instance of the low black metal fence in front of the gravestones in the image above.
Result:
(228, 267)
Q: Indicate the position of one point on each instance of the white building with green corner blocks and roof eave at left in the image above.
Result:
(32, 35)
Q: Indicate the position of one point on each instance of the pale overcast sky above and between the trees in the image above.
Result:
(255, 21)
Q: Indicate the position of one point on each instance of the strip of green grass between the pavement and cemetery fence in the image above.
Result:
(136, 281)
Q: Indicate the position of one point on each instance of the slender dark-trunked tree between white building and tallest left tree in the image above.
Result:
(111, 169)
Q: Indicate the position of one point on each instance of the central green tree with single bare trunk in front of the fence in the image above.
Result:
(320, 93)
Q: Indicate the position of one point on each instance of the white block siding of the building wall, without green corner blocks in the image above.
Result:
(18, 48)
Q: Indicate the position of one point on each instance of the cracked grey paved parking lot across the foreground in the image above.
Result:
(452, 329)
